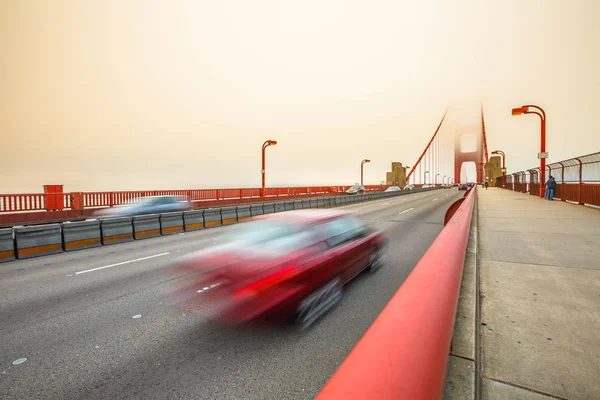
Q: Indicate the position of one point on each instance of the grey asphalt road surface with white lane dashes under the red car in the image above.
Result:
(74, 320)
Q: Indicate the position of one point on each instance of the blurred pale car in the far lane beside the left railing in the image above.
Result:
(147, 205)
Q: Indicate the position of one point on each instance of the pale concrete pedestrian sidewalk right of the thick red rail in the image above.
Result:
(539, 266)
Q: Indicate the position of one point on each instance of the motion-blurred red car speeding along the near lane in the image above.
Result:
(282, 266)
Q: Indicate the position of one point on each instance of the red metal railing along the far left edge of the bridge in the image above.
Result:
(10, 203)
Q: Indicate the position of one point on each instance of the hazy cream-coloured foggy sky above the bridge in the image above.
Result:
(101, 95)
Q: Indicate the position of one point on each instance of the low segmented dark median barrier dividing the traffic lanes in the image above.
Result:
(37, 240)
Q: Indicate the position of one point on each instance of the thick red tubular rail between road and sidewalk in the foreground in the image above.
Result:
(404, 354)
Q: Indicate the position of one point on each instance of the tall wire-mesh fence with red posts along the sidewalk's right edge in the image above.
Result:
(577, 180)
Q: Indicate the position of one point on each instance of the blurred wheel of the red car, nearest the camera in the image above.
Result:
(318, 303)
